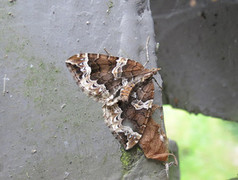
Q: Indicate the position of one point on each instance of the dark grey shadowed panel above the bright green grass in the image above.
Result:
(198, 55)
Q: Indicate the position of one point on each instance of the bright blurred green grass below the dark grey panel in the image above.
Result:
(208, 147)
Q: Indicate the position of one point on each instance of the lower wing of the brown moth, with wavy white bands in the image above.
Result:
(121, 112)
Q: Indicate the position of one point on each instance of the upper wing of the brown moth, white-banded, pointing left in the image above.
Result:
(107, 79)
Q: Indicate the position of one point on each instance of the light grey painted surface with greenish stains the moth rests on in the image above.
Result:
(48, 128)
